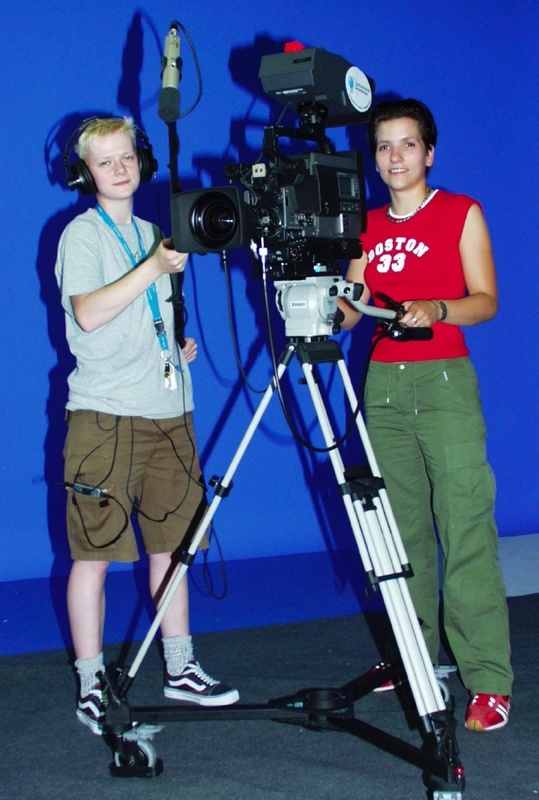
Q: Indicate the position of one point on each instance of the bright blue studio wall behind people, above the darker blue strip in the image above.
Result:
(475, 65)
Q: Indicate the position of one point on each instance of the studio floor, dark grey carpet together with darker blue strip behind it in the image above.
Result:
(283, 624)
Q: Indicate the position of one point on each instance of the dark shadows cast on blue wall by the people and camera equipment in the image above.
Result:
(152, 203)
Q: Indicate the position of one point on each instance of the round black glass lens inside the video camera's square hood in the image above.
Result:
(214, 220)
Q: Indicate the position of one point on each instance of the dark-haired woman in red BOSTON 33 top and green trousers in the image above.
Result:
(430, 251)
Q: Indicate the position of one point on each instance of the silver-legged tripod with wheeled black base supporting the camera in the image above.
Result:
(131, 729)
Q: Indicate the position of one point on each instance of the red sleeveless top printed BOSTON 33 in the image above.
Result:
(419, 260)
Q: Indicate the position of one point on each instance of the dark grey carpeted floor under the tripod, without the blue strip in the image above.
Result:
(47, 754)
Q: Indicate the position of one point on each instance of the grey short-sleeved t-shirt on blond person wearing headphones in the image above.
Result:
(119, 368)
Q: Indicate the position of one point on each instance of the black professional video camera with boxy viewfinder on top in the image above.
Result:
(307, 209)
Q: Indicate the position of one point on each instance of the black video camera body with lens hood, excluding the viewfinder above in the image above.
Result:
(309, 209)
